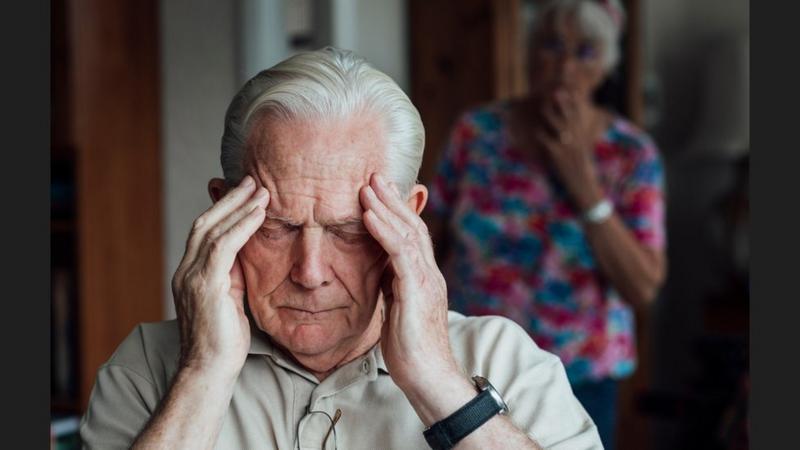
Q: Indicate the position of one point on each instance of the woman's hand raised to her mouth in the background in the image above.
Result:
(568, 138)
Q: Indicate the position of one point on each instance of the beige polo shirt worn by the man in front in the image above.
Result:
(277, 404)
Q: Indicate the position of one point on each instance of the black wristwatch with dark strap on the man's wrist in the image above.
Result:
(446, 433)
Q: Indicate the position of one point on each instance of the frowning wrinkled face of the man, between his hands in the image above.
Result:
(313, 270)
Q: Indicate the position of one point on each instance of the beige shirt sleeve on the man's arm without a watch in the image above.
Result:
(122, 400)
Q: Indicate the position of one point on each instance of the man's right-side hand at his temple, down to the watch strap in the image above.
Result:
(414, 339)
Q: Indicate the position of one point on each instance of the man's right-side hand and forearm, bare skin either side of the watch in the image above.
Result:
(414, 339)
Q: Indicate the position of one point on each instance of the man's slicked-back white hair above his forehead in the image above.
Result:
(326, 84)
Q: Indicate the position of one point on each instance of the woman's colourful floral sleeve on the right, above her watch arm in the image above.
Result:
(640, 199)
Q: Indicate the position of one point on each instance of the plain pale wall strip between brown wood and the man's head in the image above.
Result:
(198, 71)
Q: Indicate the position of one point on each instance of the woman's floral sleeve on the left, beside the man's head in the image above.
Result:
(451, 167)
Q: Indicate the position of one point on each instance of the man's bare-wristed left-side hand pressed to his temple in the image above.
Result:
(208, 287)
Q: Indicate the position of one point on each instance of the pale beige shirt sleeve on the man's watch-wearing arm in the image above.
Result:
(534, 385)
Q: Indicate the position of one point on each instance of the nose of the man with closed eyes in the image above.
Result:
(312, 265)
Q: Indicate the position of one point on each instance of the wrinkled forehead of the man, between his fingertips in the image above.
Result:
(315, 167)
